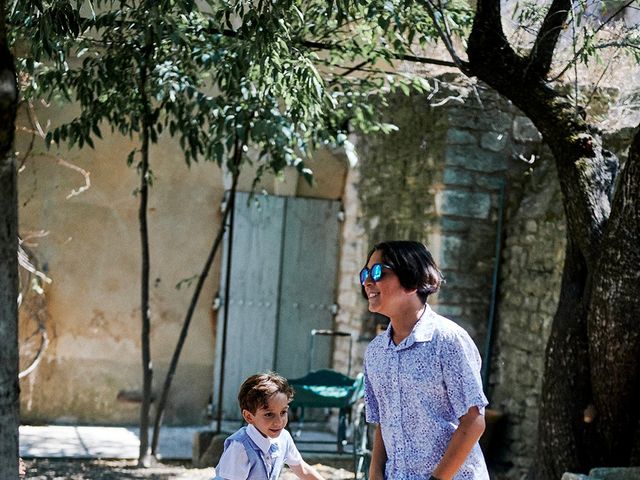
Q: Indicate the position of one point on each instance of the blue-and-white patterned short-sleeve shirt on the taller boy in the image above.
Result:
(418, 390)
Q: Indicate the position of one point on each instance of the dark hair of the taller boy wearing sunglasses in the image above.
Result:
(413, 264)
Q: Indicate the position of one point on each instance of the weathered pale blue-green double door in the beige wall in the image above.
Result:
(283, 283)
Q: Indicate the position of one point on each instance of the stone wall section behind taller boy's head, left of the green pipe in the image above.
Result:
(437, 180)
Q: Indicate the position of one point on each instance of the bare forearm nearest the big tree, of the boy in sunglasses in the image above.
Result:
(464, 438)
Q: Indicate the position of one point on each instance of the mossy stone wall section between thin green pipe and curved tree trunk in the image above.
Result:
(531, 270)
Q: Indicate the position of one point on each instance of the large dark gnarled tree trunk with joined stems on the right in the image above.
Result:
(592, 356)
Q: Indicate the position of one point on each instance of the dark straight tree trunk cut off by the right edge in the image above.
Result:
(614, 336)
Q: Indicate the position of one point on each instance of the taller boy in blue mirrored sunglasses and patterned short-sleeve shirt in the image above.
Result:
(422, 376)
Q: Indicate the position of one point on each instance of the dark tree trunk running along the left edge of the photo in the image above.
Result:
(9, 388)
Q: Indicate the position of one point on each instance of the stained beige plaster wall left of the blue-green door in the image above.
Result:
(92, 254)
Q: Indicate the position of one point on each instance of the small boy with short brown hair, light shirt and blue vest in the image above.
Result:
(259, 450)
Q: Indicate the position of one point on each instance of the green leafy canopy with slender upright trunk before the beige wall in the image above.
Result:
(221, 80)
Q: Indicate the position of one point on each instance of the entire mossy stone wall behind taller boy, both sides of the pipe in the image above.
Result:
(438, 180)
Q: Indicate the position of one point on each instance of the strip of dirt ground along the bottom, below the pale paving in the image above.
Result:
(59, 469)
